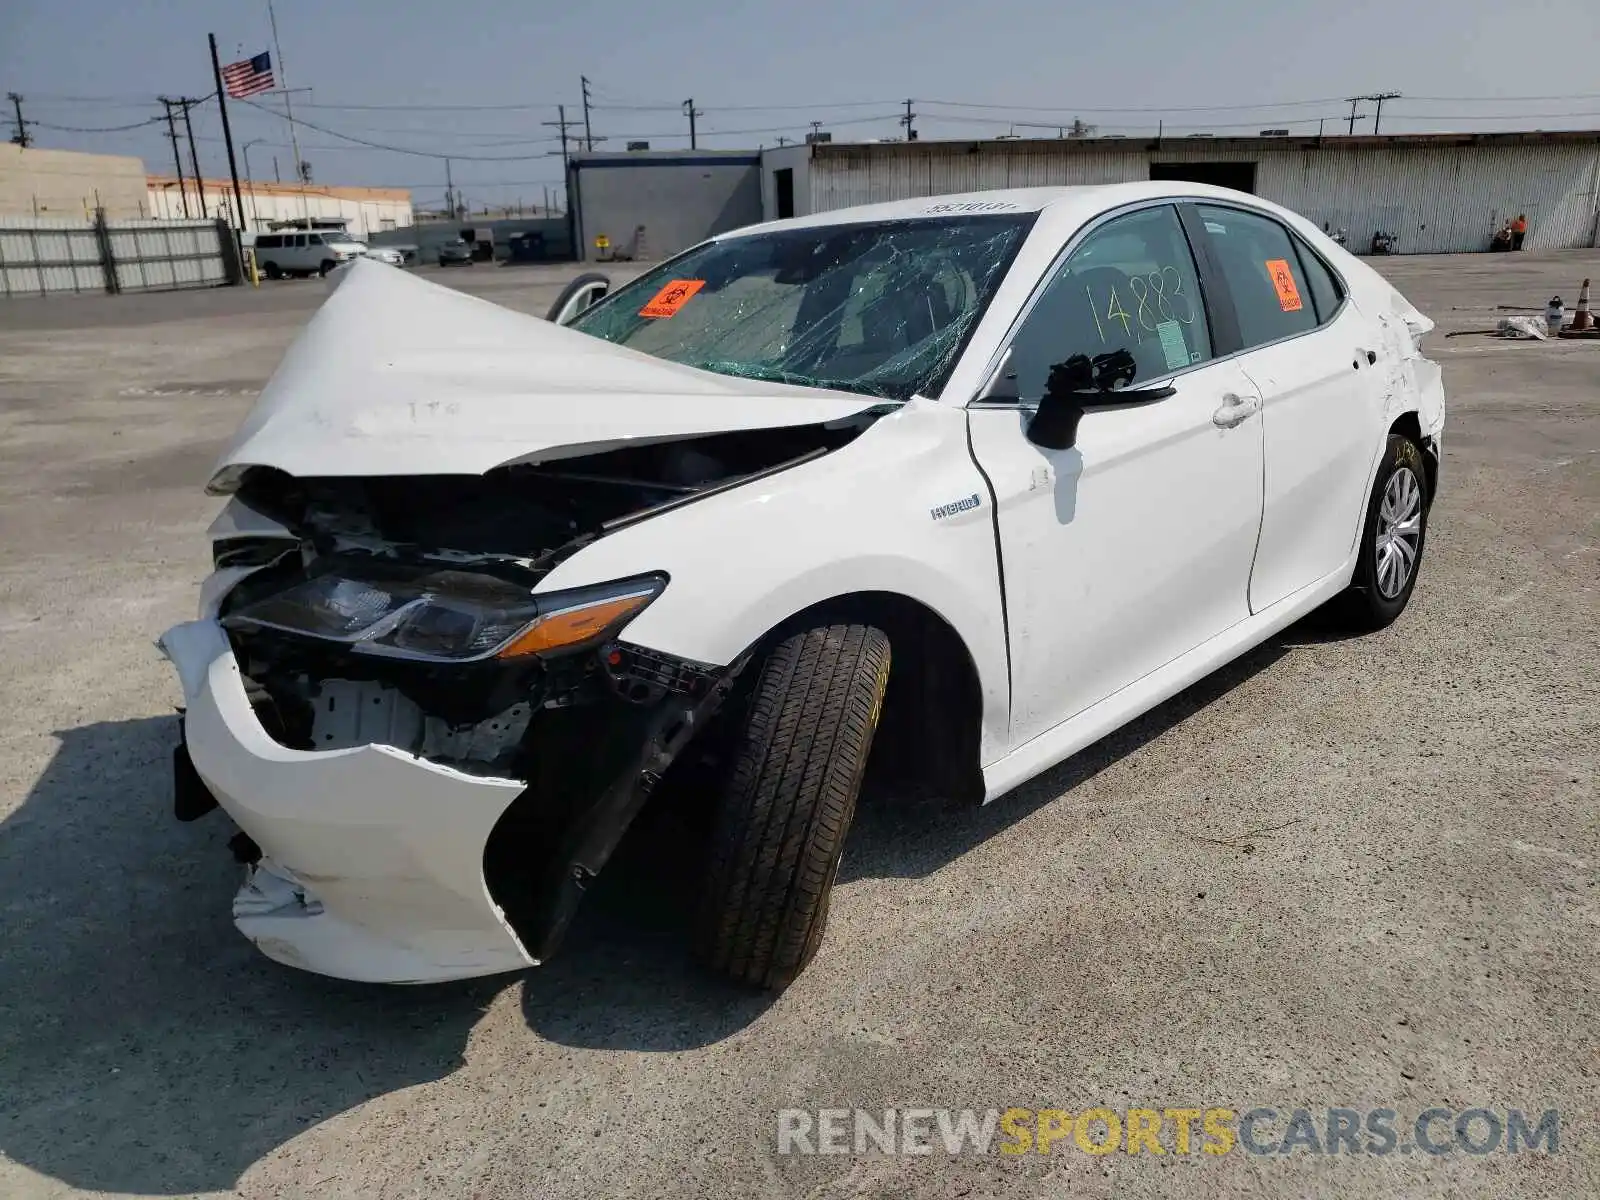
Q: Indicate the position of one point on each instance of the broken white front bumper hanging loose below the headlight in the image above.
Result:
(372, 860)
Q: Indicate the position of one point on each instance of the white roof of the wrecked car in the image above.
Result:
(1071, 202)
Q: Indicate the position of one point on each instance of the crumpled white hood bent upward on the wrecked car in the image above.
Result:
(401, 377)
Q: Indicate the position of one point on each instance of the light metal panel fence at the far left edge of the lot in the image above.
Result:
(46, 258)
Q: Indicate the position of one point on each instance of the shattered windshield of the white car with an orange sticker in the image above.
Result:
(881, 310)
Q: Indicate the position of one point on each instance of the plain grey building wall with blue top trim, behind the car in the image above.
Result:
(679, 199)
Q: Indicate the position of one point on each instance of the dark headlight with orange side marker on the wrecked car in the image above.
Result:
(447, 617)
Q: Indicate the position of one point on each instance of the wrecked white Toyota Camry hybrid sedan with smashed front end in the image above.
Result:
(954, 486)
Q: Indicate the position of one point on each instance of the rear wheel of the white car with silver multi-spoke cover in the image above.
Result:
(1393, 538)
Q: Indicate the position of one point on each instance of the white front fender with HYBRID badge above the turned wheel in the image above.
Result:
(900, 510)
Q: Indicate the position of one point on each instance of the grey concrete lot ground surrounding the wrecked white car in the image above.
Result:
(1342, 873)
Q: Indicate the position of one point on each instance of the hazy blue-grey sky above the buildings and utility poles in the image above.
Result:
(478, 79)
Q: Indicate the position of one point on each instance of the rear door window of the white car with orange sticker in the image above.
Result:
(1263, 270)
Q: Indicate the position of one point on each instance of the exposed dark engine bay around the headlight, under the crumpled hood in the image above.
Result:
(505, 530)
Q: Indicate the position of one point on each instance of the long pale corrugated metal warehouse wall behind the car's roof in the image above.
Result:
(1436, 198)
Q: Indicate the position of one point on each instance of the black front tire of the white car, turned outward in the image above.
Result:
(788, 802)
